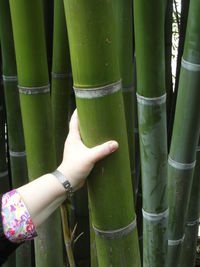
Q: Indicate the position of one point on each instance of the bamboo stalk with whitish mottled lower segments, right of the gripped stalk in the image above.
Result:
(150, 61)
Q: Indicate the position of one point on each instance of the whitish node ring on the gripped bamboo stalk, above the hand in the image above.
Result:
(96, 92)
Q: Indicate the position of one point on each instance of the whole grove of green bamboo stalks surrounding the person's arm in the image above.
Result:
(112, 60)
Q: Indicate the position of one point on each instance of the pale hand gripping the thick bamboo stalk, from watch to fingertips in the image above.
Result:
(79, 160)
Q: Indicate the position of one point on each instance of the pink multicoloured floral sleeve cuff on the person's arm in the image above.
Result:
(17, 223)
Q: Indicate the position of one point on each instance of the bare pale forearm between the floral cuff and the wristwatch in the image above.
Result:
(42, 197)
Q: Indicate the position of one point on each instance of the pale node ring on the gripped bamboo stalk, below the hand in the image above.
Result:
(115, 234)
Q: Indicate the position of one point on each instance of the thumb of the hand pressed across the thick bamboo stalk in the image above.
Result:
(103, 150)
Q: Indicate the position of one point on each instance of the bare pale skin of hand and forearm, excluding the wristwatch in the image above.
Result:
(45, 194)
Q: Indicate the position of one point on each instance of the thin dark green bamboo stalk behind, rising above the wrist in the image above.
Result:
(61, 79)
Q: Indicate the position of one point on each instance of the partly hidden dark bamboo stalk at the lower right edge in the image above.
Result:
(188, 251)
